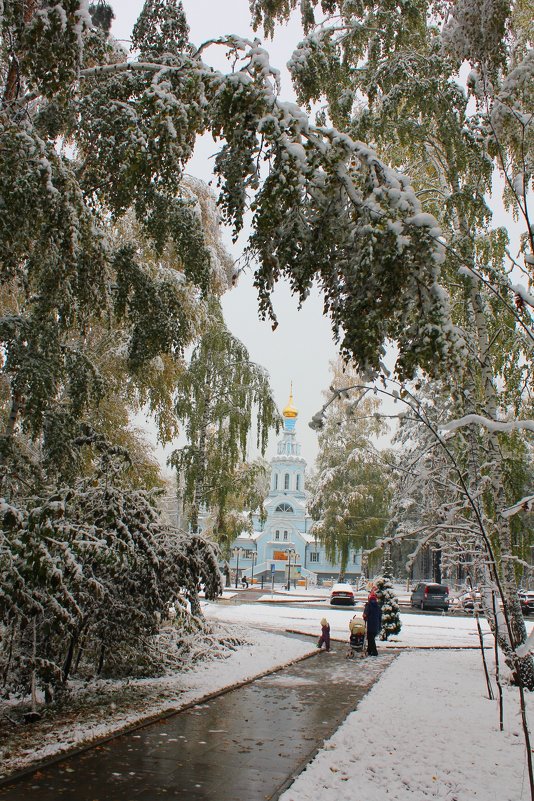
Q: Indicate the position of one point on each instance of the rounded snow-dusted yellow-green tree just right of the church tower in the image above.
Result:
(349, 489)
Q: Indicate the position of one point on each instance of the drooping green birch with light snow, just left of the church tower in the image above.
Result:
(218, 396)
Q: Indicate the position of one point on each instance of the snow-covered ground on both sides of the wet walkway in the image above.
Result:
(426, 730)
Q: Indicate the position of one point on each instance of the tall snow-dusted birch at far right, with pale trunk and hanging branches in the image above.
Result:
(394, 79)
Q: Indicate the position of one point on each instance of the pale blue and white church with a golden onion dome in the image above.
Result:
(284, 547)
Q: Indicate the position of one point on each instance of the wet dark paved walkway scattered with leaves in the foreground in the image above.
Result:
(240, 746)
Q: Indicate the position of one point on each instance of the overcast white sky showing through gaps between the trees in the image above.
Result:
(301, 347)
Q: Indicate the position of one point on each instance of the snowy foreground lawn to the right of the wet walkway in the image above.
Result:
(425, 731)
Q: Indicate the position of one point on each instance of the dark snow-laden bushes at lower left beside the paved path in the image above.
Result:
(89, 573)
